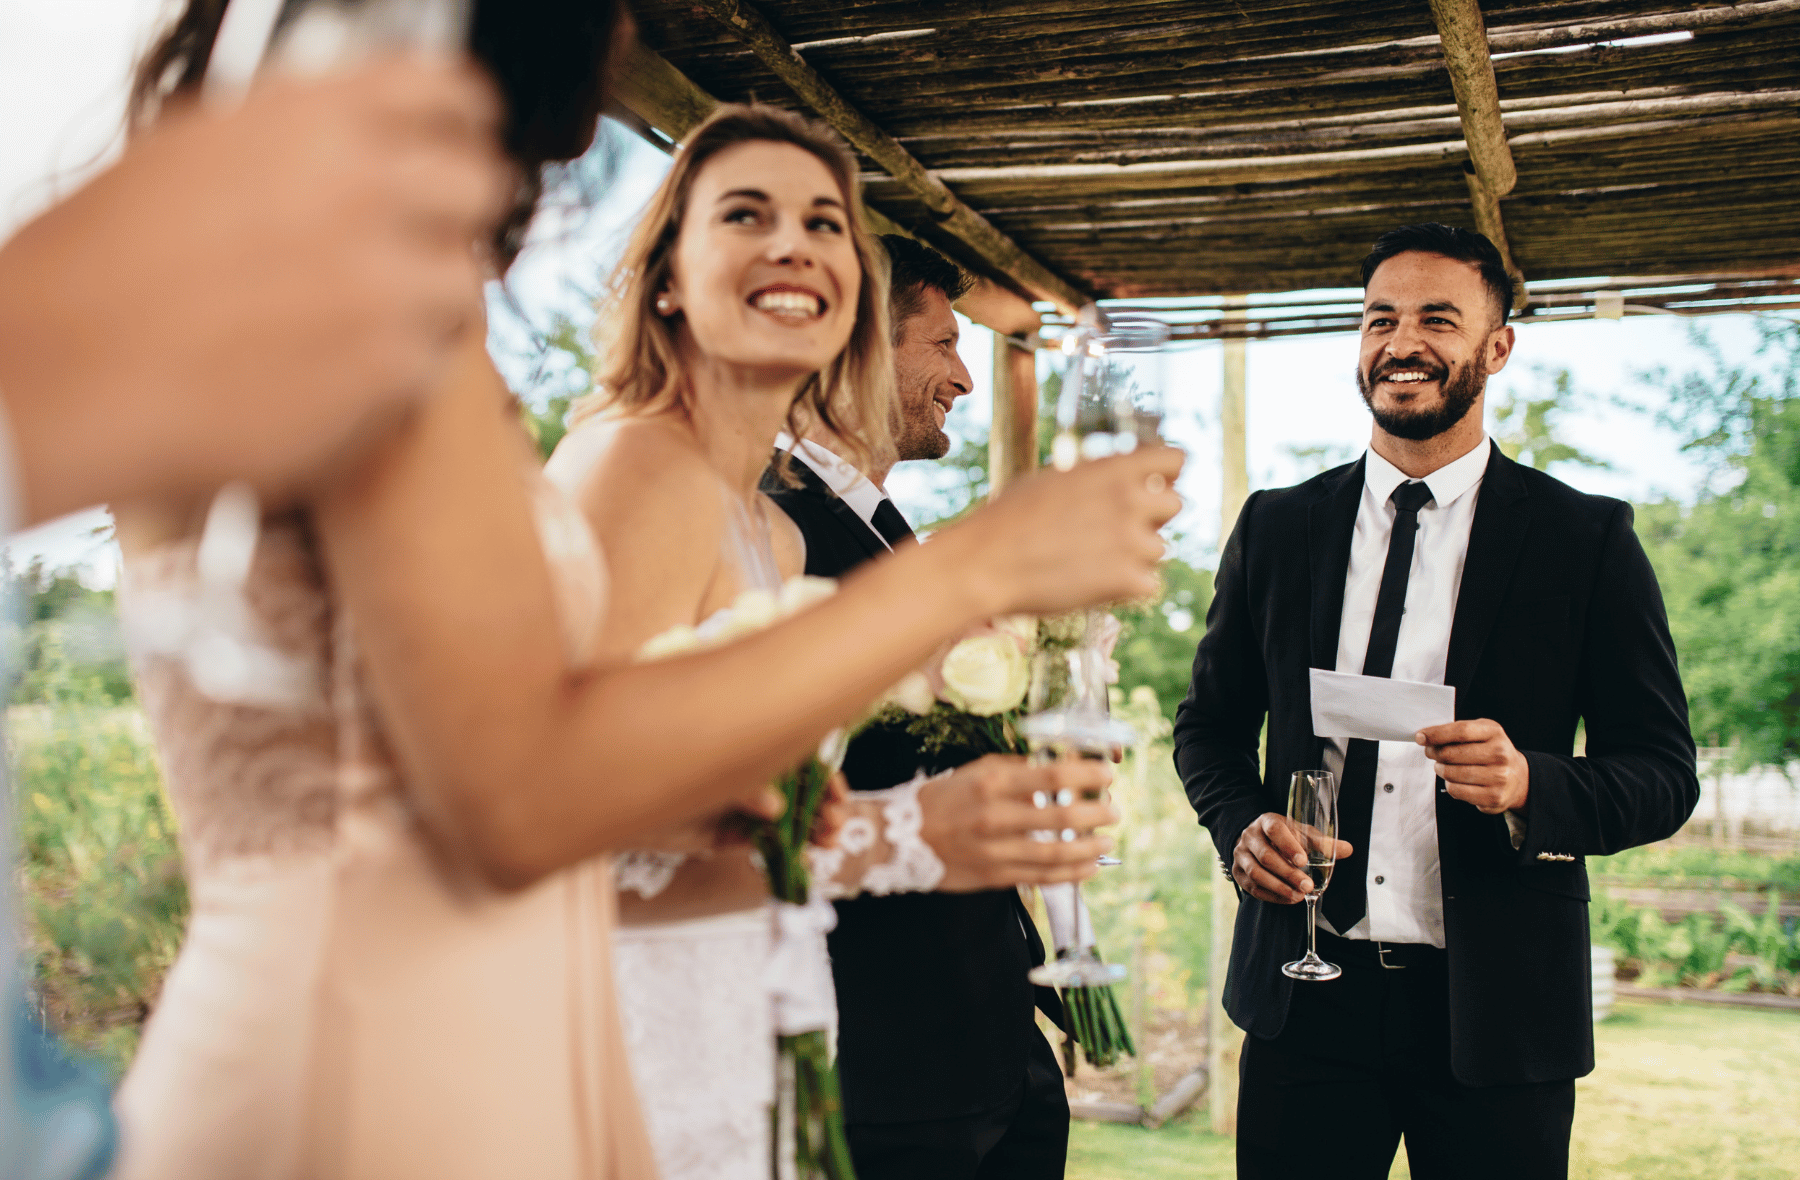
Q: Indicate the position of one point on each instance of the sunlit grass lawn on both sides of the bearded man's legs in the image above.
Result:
(1680, 1093)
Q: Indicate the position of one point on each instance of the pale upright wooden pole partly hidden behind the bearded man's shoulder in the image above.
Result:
(1223, 1039)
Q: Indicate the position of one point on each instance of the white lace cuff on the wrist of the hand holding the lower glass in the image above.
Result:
(879, 850)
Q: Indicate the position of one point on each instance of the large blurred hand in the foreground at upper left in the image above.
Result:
(247, 294)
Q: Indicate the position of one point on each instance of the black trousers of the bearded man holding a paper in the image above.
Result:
(1365, 1062)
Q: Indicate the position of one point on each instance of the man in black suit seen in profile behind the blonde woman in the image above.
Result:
(942, 1066)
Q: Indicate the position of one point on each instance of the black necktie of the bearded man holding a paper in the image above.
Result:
(1347, 900)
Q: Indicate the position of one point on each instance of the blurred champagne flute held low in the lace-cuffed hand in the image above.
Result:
(1068, 722)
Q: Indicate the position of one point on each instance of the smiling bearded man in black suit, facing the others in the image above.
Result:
(1464, 1012)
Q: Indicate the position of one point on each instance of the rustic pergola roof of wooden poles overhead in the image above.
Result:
(1194, 148)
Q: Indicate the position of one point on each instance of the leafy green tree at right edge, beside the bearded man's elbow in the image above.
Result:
(1731, 562)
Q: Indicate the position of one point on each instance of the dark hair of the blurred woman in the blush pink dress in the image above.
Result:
(550, 60)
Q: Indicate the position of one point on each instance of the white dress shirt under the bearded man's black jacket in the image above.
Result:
(1405, 888)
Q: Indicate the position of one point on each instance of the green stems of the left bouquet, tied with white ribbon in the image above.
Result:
(820, 1145)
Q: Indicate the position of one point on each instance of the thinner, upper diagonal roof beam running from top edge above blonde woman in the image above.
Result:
(957, 219)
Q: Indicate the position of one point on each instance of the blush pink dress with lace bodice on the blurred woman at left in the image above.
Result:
(348, 1003)
